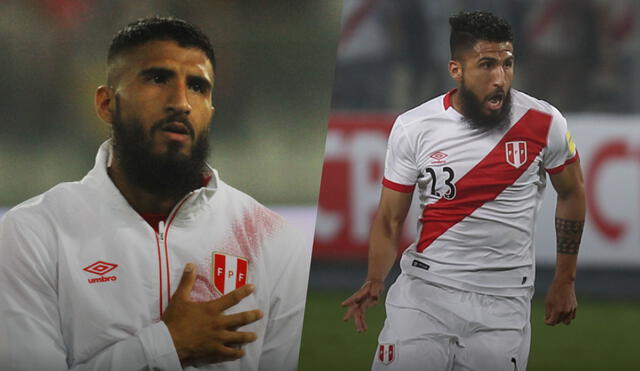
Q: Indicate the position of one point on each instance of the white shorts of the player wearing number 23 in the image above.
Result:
(438, 328)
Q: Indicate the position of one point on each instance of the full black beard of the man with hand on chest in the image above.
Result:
(168, 175)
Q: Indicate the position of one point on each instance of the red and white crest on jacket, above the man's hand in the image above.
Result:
(229, 272)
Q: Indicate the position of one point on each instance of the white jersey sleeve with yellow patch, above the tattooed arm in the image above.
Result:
(561, 149)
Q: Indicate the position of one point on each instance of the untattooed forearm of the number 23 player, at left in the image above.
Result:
(383, 247)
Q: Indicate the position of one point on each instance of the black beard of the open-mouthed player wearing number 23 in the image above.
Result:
(473, 111)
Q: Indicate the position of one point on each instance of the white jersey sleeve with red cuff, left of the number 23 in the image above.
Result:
(400, 169)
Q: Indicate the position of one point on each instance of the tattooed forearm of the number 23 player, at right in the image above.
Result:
(570, 212)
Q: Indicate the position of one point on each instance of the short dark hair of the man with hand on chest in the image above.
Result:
(154, 28)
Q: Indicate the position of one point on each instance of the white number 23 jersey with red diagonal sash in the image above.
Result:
(479, 191)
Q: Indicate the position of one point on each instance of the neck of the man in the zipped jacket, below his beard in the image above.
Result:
(140, 200)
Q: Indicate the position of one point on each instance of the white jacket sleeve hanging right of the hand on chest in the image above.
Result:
(287, 258)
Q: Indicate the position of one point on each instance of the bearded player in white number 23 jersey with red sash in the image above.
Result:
(479, 155)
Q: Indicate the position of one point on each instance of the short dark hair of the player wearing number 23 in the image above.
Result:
(467, 28)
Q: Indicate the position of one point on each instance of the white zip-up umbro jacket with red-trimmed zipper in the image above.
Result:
(84, 279)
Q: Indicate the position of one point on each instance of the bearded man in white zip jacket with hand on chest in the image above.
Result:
(151, 261)
